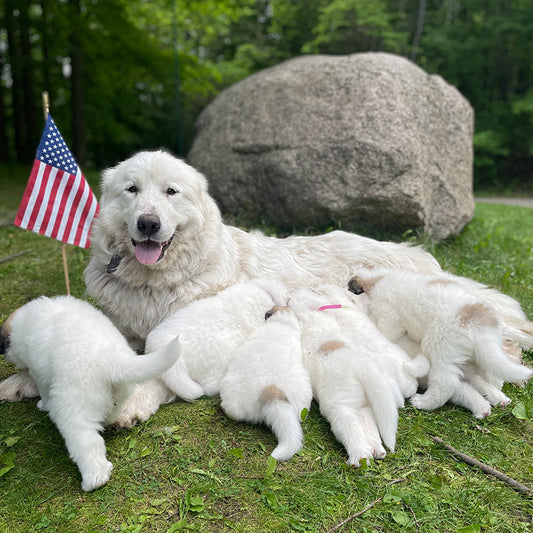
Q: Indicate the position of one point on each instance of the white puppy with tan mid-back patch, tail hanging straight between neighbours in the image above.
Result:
(359, 402)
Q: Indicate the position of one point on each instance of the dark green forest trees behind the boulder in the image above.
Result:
(126, 75)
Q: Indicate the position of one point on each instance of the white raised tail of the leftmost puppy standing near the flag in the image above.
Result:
(144, 367)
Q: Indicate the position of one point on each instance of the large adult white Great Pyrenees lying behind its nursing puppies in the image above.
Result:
(159, 243)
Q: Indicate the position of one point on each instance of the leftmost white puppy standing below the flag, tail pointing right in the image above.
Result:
(83, 369)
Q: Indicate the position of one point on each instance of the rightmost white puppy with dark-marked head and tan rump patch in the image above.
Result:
(456, 330)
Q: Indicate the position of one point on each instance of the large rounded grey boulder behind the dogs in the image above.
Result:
(366, 139)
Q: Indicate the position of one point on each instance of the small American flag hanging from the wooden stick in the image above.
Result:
(58, 202)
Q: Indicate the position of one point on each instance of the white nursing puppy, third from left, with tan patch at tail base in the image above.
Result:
(266, 381)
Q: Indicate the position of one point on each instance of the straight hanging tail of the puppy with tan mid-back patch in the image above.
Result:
(383, 399)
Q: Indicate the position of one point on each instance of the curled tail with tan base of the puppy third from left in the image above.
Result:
(281, 416)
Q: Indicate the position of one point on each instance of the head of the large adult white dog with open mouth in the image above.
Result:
(150, 202)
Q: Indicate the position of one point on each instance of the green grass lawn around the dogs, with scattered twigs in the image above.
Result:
(191, 468)
